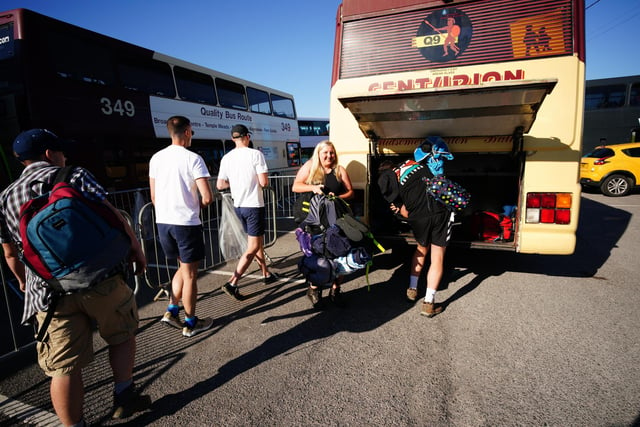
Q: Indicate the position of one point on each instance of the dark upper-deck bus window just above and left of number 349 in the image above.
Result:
(85, 61)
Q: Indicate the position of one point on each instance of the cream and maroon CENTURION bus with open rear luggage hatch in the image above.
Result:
(501, 81)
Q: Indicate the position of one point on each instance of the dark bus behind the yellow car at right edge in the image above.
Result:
(611, 111)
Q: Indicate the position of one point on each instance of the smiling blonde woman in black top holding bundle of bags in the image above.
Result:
(323, 175)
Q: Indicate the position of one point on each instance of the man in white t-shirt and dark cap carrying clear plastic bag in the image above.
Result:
(245, 171)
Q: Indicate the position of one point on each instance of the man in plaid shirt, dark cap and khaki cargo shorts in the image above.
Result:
(67, 345)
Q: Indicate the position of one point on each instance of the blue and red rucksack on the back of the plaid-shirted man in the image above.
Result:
(70, 241)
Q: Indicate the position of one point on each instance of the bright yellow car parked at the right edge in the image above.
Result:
(614, 169)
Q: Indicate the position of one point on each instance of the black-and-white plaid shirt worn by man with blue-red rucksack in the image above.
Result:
(29, 184)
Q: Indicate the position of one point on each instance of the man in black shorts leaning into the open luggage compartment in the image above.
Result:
(430, 221)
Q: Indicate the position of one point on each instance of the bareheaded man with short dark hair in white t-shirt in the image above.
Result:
(179, 183)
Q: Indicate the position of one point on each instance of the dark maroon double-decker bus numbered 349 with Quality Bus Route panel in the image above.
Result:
(113, 98)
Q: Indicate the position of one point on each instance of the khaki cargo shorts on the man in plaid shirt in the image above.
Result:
(68, 342)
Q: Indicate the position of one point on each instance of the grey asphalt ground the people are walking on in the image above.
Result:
(524, 340)
